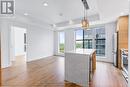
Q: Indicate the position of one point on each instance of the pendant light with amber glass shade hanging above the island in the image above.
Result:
(85, 22)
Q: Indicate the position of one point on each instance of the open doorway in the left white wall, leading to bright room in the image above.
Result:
(18, 44)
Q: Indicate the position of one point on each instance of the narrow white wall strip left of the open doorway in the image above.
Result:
(5, 43)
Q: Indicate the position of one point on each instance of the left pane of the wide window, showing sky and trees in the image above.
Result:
(79, 38)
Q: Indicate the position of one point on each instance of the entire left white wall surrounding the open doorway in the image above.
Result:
(40, 39)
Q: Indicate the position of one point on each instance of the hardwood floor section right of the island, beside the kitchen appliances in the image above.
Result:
(106, 75)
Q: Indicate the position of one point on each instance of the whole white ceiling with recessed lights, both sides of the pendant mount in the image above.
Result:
(71, 9)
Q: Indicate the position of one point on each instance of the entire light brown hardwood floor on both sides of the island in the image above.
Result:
(49, 72)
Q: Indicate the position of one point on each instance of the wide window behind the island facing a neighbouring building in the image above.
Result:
(92, 38)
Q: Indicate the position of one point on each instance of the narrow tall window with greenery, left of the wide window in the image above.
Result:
(61, 42)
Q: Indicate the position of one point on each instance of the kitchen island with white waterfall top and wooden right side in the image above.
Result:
(79, 66)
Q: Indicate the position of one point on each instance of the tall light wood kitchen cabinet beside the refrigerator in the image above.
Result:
(122, 37)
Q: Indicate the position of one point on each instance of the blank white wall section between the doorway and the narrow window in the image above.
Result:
(39, 43)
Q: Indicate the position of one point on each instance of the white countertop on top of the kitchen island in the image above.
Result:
(83, 51)
